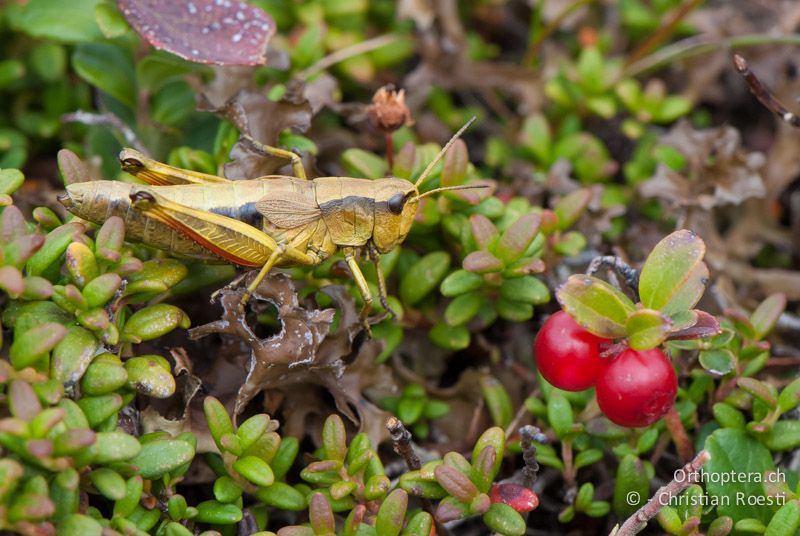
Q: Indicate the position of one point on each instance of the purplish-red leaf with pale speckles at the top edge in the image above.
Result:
(224, 32)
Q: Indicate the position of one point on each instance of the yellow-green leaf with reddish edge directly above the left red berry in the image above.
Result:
(597, 306)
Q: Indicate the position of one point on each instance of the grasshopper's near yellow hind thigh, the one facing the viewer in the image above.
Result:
(231, 239)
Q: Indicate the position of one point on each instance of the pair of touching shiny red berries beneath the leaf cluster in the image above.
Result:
(633, 388)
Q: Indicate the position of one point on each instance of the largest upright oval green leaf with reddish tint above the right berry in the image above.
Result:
(674, 275)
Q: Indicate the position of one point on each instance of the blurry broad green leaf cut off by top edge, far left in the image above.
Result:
(61, 20)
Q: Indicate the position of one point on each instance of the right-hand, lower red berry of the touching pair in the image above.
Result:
(637, 388)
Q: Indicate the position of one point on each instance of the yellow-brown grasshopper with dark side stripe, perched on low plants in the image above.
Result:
(261, 223)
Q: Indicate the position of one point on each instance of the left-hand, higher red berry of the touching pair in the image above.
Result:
(567, 355)
